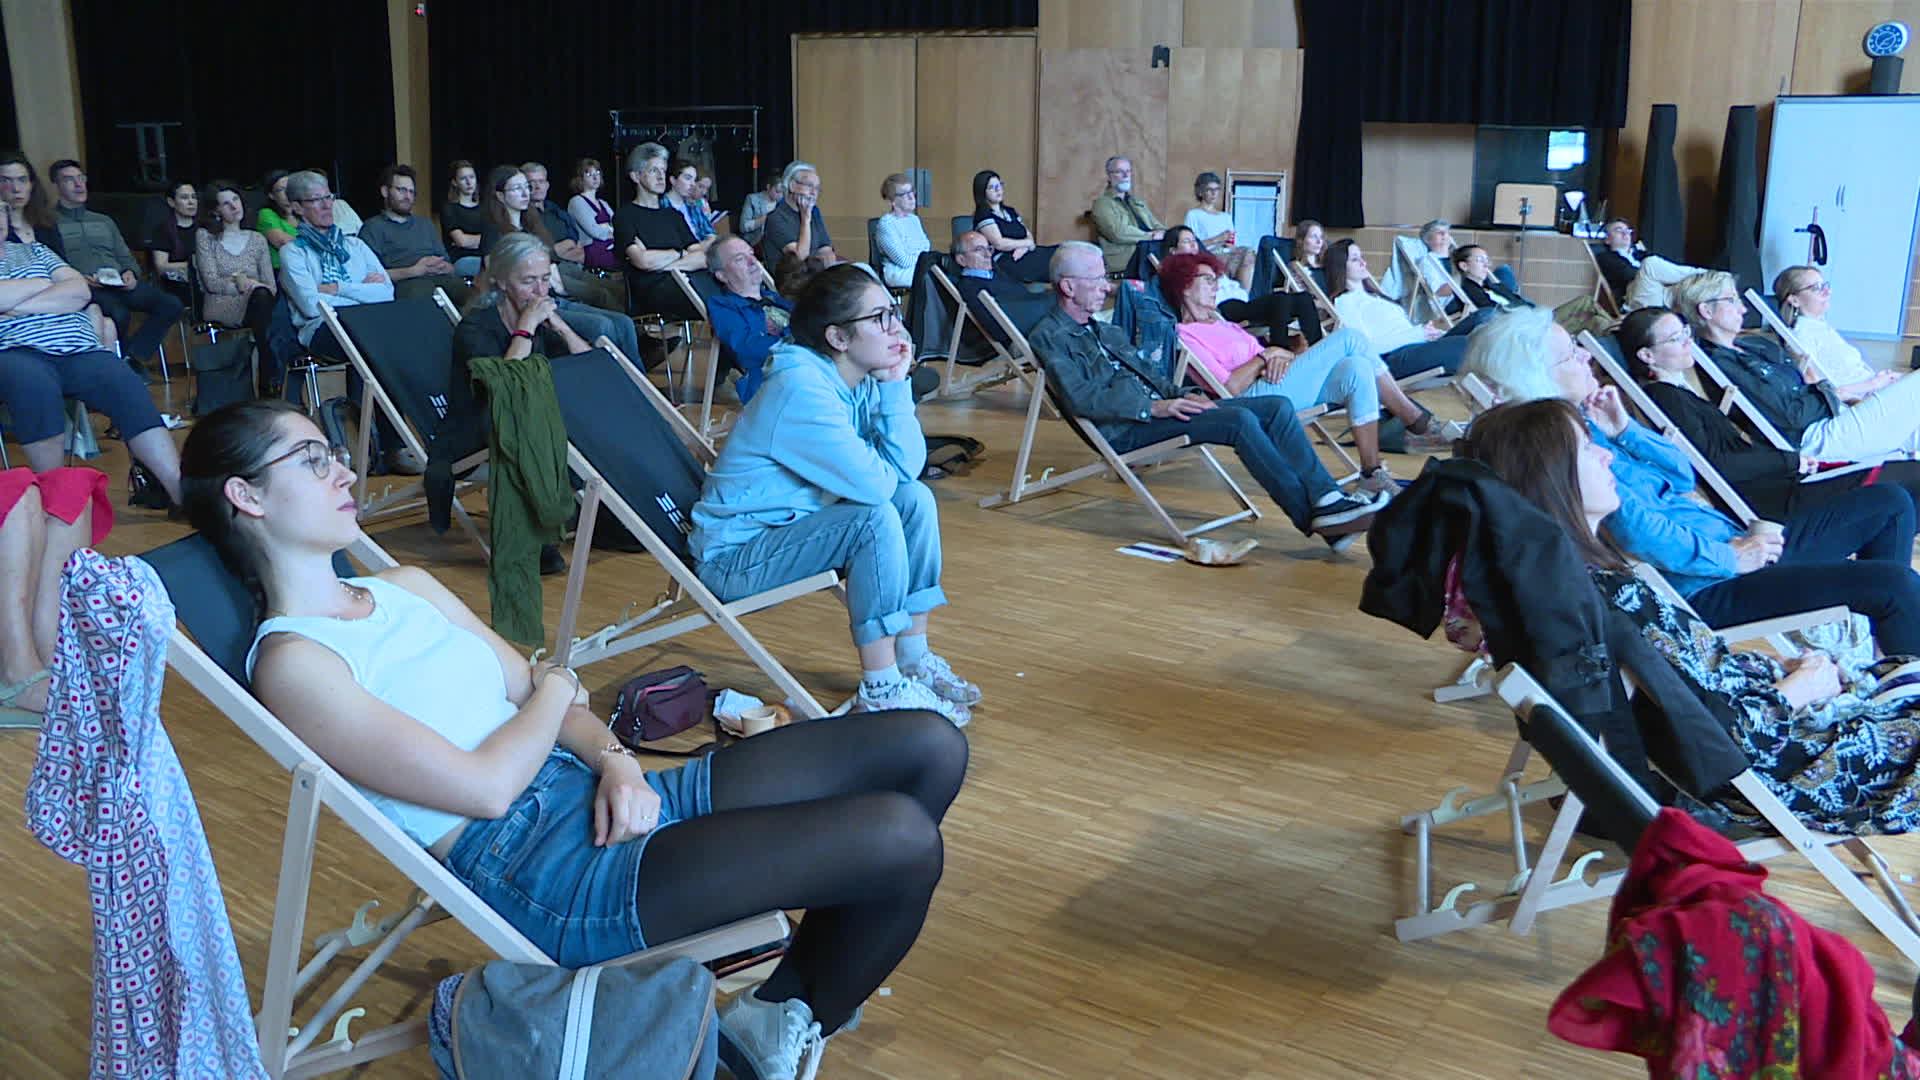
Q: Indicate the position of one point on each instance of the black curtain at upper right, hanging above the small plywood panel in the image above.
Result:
(1447, 62)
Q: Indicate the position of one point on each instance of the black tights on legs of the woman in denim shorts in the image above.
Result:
(840, 818)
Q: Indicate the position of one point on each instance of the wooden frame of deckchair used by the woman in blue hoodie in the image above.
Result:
(669, 616)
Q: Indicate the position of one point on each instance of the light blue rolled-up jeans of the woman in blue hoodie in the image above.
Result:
(890, 556)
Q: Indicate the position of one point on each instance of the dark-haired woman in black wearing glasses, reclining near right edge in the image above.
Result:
(1660, 355)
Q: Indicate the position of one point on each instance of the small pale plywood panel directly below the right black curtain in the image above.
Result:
(1416, 172)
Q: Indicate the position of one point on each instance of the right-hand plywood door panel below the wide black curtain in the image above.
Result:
(976, 105)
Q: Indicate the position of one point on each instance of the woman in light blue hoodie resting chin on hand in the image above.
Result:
(823, 474)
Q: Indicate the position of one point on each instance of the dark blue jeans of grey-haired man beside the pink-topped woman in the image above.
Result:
(1266, 435)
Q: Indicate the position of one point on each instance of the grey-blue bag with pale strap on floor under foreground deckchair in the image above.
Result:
(512, 1021)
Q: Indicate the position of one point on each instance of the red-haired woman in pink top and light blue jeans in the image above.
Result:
(1341, 370)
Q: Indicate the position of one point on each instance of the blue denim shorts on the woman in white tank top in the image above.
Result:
(539, 868)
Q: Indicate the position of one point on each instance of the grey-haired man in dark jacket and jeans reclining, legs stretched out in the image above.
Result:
(1103, 380)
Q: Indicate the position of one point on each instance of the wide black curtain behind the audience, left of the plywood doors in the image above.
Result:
(514, 84)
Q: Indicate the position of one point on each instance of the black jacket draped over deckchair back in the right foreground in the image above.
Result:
(1539, 608)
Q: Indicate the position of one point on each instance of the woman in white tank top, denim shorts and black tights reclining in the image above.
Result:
(504, 772)
